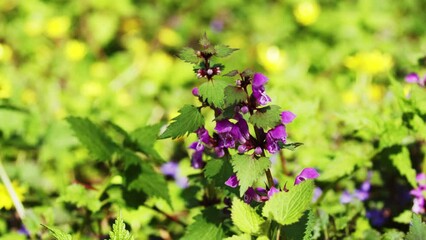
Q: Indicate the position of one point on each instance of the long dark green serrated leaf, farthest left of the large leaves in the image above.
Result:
(93, 138)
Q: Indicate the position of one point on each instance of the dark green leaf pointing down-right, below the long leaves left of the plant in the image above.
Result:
(149, 181)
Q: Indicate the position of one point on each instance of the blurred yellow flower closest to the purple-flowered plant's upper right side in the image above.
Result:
(271, 58)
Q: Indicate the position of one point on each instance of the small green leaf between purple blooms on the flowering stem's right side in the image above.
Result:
(266, 117)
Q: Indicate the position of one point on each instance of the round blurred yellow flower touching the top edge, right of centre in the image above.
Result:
(307, 12)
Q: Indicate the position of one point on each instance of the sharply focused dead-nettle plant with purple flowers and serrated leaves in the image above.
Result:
(247, 128)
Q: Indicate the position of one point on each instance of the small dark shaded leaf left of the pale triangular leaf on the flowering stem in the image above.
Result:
(218, 171)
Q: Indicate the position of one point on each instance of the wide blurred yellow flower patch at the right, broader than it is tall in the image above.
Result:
(369, 62)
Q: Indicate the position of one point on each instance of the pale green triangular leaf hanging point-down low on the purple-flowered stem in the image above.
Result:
(249, 170)
